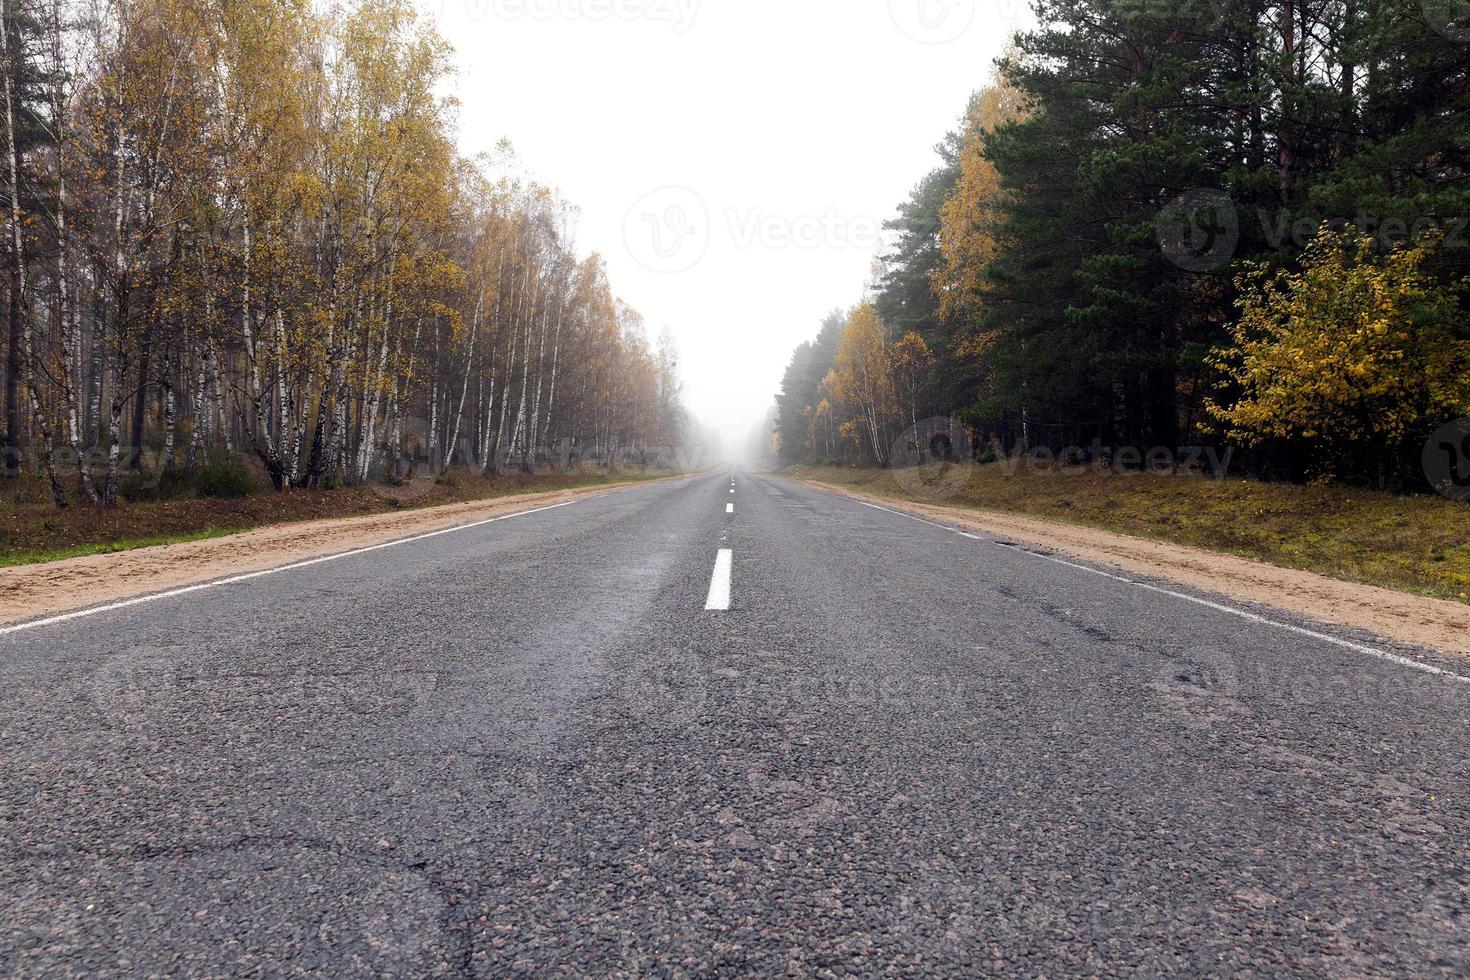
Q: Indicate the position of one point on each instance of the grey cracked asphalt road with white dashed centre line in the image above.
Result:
(530, 749)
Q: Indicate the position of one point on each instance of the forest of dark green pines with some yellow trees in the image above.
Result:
(1237, 224)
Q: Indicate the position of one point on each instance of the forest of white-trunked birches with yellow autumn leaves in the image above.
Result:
(240, 231)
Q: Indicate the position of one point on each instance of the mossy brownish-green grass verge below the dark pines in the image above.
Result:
(1416, 544)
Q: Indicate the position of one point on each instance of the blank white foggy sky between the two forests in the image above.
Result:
(789, 131)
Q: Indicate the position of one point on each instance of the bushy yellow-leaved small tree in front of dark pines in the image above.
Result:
(1356, 355)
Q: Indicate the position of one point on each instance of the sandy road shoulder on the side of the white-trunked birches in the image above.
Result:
(58, 587)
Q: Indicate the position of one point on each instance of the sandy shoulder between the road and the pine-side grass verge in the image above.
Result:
(1394, 616)
